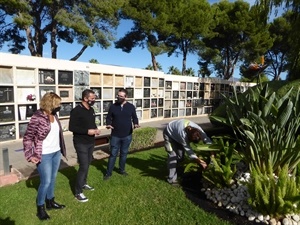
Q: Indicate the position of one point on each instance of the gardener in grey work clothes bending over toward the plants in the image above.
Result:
(177, 137)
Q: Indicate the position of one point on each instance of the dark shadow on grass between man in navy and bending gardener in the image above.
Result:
(155, 166)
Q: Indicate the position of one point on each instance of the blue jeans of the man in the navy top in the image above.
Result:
(118, 144)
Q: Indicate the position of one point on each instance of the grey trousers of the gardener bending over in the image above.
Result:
(175, 154)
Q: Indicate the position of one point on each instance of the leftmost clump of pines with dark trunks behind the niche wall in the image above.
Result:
(88, 22)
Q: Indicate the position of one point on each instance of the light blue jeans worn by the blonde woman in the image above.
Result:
(47, 169)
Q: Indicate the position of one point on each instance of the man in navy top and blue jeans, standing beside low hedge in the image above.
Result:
(121, 119)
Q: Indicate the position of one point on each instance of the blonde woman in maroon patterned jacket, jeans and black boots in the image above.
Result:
(43, 145)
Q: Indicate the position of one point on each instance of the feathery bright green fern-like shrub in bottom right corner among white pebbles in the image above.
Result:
(274, 196)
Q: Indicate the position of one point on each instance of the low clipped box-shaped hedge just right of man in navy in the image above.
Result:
(143, 138)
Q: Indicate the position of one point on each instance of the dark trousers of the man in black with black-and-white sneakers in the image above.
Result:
(84, 157)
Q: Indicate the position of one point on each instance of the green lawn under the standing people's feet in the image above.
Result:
(144, 197)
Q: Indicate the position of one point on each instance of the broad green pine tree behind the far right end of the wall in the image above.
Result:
(236, 36)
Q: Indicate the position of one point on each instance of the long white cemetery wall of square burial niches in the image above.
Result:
(25, 79)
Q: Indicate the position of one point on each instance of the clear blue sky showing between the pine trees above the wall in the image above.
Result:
(137, 58)
